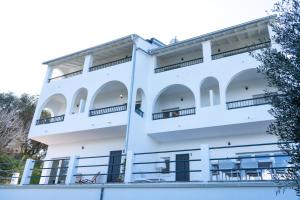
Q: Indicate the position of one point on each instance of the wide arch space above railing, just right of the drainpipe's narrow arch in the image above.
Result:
(174, 96)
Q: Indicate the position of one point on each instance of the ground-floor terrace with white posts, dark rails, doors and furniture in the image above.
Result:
(232, 163)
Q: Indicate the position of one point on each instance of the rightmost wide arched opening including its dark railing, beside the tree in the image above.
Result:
(247, 88)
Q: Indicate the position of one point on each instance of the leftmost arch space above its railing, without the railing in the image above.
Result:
(55, 105)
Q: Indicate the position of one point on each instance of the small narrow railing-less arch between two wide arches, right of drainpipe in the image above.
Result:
(209, 92)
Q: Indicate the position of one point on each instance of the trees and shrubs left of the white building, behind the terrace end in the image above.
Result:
(16, 114)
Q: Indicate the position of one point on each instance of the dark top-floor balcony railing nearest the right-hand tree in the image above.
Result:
(241, 50)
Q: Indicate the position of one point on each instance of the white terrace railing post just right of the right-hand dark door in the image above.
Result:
(205, 163)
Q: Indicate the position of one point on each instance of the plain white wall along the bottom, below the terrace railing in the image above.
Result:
(149, 192)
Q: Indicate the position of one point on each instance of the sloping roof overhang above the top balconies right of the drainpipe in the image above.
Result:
(212, 35)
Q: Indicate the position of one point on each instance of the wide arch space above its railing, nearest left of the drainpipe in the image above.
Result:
(109, 94)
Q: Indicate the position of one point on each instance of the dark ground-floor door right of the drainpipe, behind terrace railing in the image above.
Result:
(182, 167)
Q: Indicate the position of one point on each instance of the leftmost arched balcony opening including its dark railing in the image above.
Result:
(53, 110)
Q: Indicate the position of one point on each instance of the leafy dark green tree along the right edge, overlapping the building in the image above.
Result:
(281, 66)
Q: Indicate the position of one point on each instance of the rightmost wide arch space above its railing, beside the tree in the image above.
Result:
(246, 84)
